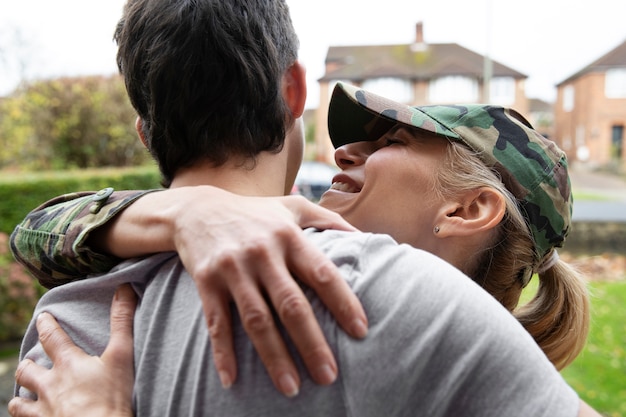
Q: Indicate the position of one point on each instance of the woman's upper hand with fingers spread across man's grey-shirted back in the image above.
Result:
(244, 260)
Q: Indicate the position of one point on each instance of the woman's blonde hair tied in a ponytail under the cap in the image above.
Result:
(558, 315)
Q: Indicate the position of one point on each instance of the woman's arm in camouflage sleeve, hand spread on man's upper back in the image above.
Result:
(235, 248)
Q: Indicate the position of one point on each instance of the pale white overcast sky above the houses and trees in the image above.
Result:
(548, 40)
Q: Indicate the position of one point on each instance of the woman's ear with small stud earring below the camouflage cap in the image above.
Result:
(478, 210)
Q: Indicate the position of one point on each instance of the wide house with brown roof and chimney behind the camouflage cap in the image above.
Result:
(417, 73)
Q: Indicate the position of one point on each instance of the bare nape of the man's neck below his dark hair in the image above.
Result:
(263, 177)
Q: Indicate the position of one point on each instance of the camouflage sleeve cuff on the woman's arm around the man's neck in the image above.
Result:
(51, 241)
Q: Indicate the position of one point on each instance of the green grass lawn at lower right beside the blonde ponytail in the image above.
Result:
(599, 372)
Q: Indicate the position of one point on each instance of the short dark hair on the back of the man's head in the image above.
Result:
(205, 77)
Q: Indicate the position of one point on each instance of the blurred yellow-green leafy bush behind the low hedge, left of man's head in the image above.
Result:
(64, 123)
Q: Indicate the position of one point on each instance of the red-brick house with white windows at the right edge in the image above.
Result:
(590, 111)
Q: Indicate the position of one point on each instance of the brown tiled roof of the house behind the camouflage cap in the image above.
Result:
(409, 61)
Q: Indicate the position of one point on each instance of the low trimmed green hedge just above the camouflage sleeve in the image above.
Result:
(20, 193)
